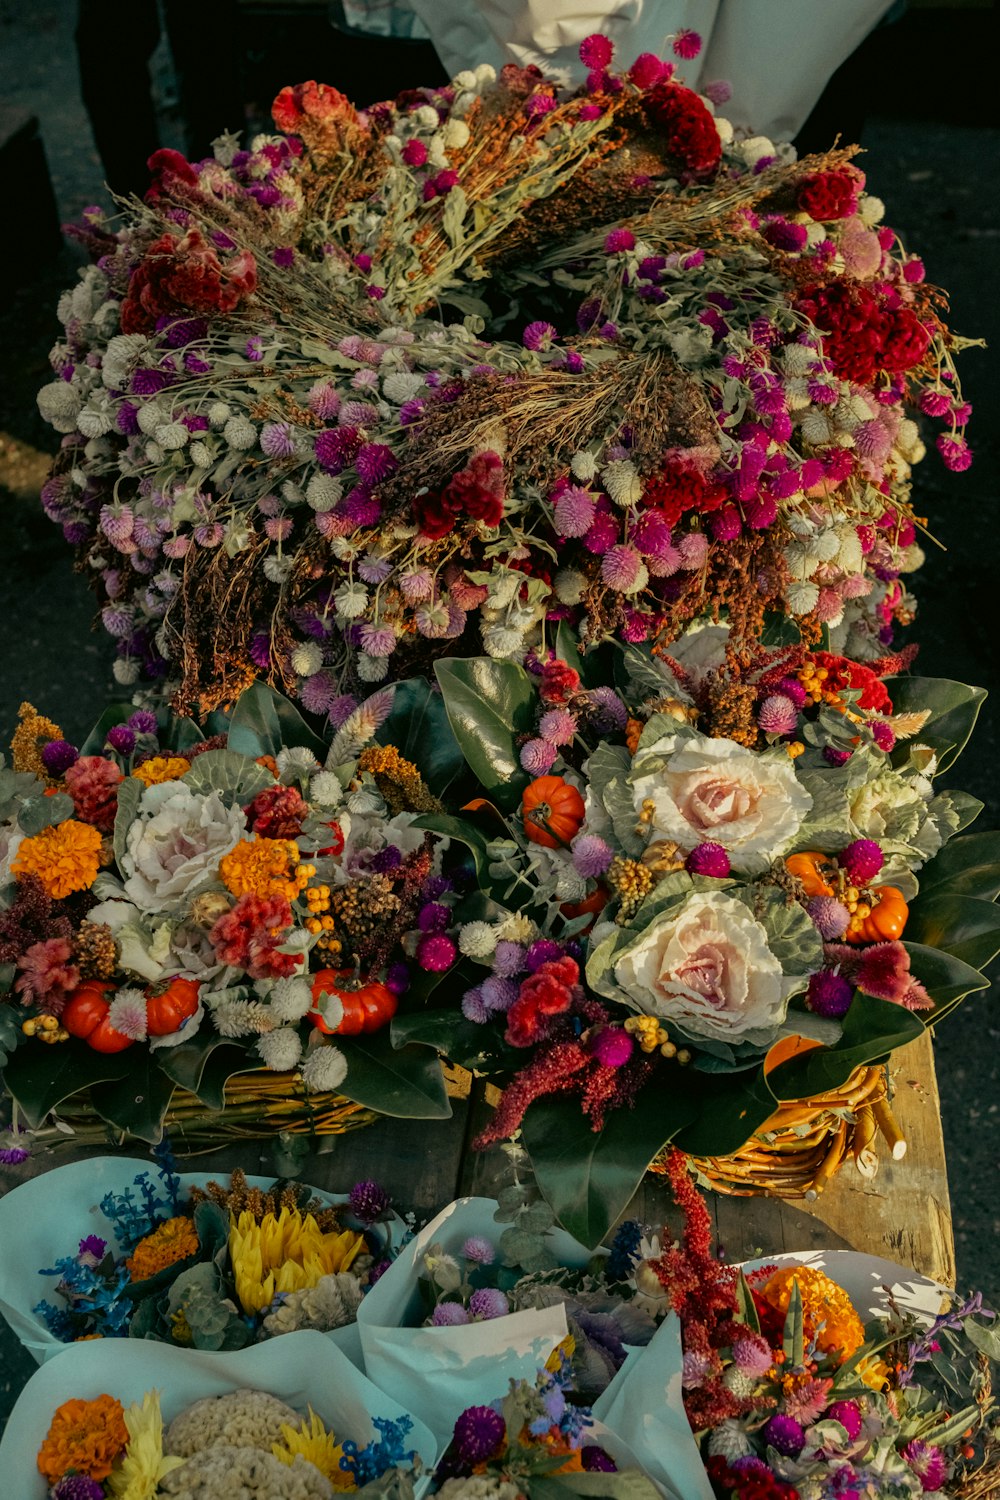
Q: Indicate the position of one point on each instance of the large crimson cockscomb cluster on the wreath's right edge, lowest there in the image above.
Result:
(864, 332)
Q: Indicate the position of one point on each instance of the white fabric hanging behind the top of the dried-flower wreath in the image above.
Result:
(777, 55)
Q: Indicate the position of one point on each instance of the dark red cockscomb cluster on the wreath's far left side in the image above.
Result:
(185, 275)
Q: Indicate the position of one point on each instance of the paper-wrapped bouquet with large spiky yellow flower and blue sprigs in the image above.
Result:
(190, 1261)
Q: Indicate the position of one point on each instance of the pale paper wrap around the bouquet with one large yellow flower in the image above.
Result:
(49, 1216)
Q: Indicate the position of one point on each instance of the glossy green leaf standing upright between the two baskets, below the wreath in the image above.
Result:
(490, 706)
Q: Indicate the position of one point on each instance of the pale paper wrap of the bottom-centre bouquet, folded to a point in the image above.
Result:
(445, 1370)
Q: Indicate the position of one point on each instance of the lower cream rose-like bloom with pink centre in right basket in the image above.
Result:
(708, 970)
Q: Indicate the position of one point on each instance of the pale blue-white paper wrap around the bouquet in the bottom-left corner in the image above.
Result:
(301, 1369)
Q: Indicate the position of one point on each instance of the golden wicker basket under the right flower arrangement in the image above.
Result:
(806, 1142)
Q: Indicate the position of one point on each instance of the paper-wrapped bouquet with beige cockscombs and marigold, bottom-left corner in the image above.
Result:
(137, 1420)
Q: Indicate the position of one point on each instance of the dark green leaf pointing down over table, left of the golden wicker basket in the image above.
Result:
(588, 1177)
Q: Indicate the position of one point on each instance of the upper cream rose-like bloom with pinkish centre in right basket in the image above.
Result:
(717, 791)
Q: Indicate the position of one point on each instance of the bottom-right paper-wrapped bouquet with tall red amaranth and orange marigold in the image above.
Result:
(792, 1397)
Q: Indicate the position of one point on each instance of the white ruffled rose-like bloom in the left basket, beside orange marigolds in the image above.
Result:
(176, 844)
